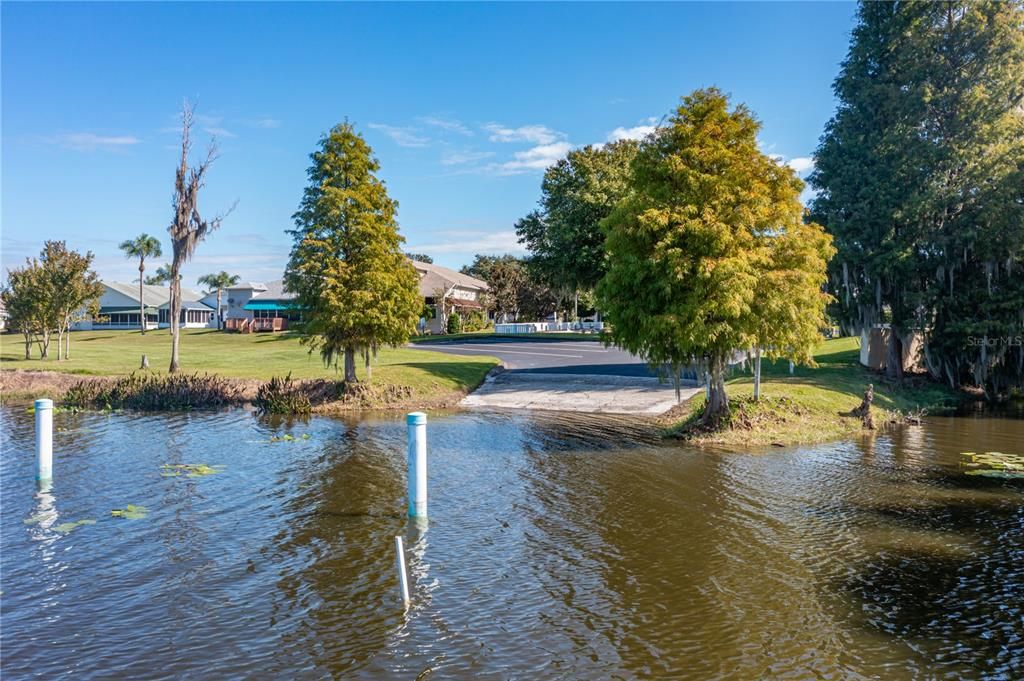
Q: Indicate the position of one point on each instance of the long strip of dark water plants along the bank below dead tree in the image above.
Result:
(156, 393)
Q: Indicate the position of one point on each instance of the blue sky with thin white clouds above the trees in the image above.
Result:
(463, 104)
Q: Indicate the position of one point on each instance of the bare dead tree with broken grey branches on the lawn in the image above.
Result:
(189, 229)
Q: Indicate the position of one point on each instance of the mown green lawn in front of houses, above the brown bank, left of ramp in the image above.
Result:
(245, 356)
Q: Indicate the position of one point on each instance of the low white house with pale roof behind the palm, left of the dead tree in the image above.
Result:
(119, 309)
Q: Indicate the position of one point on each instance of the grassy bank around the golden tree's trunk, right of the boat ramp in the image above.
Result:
(808, 406)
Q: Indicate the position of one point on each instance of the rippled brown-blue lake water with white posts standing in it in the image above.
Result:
(558, 548)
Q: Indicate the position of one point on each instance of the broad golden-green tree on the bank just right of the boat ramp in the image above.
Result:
(688, 248)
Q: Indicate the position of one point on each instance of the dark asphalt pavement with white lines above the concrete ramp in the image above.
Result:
(542, 357)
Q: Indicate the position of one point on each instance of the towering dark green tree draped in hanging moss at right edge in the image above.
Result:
(920, 181)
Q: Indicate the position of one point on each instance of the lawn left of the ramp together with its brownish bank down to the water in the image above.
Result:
(420, 378)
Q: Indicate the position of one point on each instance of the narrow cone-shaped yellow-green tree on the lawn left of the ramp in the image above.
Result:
(348, 271)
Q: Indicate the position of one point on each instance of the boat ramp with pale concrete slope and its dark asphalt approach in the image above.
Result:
(565, 376)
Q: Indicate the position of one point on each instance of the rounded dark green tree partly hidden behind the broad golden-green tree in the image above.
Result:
(564, 236)
